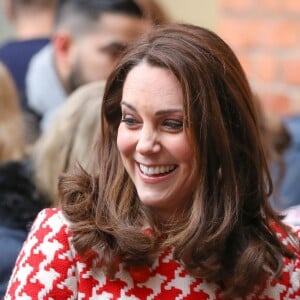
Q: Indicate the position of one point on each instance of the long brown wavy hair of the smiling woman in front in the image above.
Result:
(225, 234)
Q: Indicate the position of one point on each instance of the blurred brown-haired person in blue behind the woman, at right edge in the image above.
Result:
(279, 144)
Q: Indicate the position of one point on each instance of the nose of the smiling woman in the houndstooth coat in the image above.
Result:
(148, 142)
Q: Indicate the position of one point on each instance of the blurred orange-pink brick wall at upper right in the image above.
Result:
(265, 35)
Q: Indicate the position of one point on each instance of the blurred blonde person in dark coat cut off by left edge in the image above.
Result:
(19, 200)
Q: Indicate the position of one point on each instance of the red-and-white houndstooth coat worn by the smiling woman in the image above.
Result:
(49, 268)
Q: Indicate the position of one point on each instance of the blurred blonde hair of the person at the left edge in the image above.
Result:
(12, 145)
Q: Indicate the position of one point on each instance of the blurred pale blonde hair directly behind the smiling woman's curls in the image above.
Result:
(69, 140)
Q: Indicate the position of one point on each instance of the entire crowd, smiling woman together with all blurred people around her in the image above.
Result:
(136, 161)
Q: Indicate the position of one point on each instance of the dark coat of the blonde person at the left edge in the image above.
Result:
(20, 202)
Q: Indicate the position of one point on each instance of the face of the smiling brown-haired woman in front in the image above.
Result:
(152, 140)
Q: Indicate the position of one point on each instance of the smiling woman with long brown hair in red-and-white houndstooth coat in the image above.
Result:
(177, 207)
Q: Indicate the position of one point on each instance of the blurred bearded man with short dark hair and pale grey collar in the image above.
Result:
(89, 36)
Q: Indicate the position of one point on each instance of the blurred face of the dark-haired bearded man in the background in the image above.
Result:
(93, 55)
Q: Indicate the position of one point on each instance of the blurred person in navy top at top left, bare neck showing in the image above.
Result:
(33, 25)
